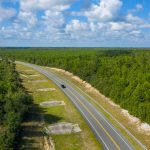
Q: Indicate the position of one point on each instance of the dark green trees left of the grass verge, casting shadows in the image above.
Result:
(14, 105)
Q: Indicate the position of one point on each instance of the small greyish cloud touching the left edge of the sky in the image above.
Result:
(6, 13)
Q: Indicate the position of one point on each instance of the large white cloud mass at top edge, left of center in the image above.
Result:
(50, 22)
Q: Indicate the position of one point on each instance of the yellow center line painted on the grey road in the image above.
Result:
(96, 120)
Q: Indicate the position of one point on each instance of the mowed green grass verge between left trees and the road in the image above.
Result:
(32, 130)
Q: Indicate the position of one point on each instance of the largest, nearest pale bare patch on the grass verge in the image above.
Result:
(63, 128)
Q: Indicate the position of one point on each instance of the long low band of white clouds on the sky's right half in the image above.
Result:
(106, 31)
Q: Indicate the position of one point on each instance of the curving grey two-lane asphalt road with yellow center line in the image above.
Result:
(105, 132)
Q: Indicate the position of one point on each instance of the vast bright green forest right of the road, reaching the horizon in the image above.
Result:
(122, 74)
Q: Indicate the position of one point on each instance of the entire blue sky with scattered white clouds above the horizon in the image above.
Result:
(75, 23)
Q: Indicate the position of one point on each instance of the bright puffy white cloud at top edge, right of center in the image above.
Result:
(104, 11)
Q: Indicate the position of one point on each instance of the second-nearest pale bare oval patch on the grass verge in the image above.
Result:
(52, 103)
